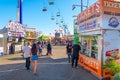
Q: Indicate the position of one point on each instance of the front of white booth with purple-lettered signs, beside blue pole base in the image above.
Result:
(15, 37)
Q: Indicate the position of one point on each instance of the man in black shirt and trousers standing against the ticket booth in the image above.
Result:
(76, 50)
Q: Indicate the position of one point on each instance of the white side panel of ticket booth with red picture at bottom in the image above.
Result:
(111, 45)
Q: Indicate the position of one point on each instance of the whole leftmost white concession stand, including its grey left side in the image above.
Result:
(13, 37)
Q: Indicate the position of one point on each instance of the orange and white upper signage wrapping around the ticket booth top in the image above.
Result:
(104, 14)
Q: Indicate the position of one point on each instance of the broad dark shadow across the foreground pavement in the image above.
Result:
(48, 69)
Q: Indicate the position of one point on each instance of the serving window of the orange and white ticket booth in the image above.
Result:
(90, 46)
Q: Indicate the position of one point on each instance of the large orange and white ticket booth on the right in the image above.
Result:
(99, 34)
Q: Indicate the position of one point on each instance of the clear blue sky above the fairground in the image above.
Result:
(33, 15)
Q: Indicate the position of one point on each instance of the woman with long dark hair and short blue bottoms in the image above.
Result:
(34, 58)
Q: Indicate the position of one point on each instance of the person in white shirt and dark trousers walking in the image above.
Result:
(26, 54)
